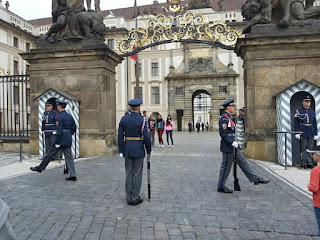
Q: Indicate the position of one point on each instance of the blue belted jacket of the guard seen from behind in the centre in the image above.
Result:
(133, 125)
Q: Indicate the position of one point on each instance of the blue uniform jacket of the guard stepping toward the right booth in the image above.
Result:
(227, 132)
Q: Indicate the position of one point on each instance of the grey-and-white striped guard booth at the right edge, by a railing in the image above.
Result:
(284, 116)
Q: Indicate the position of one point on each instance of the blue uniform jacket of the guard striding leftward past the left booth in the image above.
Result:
(66, 127)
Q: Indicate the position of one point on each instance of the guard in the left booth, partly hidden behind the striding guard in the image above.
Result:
(48, 125)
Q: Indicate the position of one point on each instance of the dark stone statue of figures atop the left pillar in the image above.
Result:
(71, 20)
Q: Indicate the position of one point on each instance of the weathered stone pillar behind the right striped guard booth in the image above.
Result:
(274, 59)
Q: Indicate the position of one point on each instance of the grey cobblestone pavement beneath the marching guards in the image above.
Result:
(185, 202)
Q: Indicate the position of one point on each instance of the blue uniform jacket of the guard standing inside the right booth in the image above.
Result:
(305, 121)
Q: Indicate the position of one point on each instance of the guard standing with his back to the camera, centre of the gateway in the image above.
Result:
(133, 141)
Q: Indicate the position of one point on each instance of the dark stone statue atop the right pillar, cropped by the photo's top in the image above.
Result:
(292, 12)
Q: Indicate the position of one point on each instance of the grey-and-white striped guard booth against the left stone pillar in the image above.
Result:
(72, 108)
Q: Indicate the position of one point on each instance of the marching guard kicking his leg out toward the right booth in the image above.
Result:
(227, 145)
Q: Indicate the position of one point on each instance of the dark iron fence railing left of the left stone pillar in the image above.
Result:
(14, 106)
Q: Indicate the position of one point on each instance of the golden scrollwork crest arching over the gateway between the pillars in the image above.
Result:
(188, 27)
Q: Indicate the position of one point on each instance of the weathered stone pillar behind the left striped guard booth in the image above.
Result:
(89, 74)
